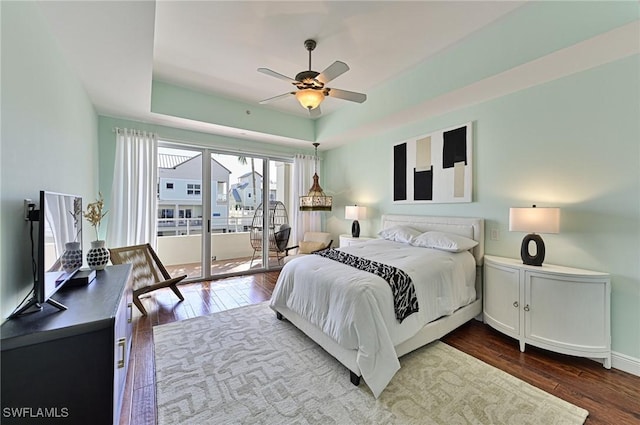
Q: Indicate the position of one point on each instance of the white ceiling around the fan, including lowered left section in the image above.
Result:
(118, 47)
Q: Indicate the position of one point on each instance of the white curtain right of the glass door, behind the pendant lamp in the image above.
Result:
(303, 221)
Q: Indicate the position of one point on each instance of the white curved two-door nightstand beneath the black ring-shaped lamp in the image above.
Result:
(557, 308)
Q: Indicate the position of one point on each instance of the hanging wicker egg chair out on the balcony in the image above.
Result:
(279, 229)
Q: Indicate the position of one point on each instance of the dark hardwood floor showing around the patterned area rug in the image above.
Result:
(612, 397)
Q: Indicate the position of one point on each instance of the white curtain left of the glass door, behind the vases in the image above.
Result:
(132, 212)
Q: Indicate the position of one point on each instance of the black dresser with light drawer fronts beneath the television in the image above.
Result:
(83, 350)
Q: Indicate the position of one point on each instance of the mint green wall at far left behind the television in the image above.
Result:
(49, 138)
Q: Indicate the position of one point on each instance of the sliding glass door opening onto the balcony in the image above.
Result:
(217, 211)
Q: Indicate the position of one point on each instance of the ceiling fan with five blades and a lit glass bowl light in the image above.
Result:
(311, 84)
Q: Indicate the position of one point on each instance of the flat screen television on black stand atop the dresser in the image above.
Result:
(59, 247)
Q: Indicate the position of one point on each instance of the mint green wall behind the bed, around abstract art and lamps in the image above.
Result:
(571, 143)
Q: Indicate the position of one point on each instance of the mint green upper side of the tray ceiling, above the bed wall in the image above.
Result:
(539, 28)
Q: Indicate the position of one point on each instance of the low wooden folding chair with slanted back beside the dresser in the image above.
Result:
(148, 272)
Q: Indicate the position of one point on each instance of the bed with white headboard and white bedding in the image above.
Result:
(350, 312)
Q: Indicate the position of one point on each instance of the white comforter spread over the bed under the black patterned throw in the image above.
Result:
(355, 308)
